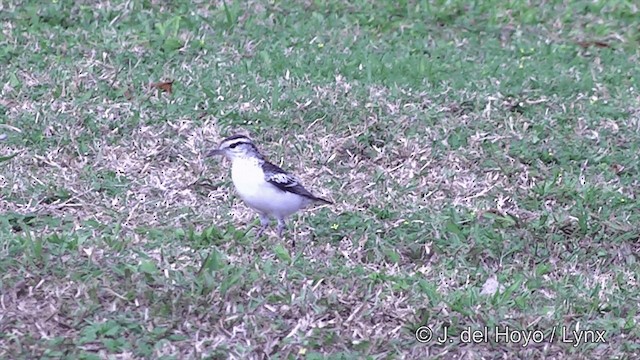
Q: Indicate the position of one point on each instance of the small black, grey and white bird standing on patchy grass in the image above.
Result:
(263, 186)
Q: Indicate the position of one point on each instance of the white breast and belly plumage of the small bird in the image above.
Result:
(257, 193)
